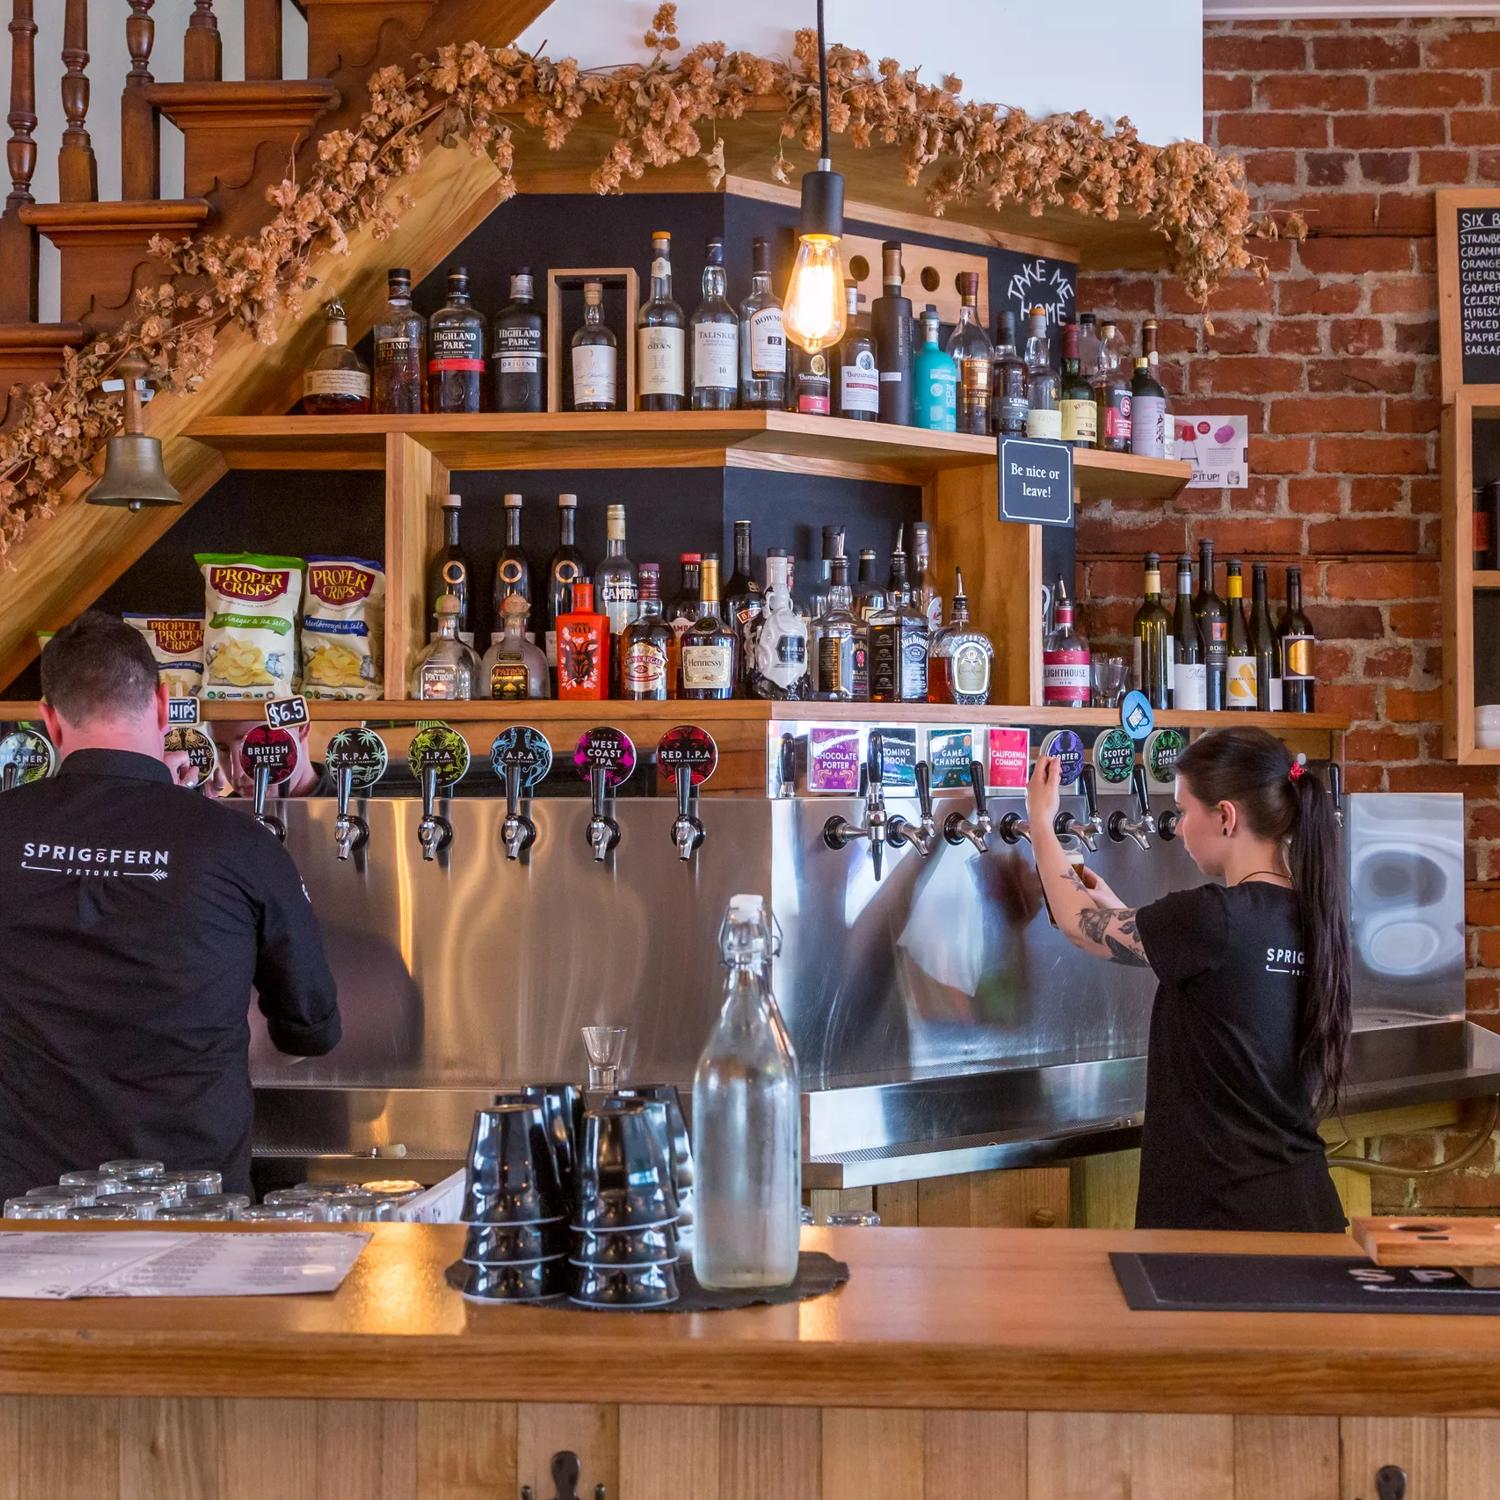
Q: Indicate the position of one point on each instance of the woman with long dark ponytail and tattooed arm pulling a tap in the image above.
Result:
(1250, 1027)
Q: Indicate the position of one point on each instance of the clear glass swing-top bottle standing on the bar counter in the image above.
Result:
(746, 1091)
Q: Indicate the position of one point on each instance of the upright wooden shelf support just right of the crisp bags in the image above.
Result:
(416, 484)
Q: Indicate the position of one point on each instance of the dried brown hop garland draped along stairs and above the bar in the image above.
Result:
(662, 110)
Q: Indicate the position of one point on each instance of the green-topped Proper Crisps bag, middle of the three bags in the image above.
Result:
(250, 625)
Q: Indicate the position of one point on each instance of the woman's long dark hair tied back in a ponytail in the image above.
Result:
(1285, 800)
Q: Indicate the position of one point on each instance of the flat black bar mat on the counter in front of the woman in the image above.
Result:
(1292, 1285)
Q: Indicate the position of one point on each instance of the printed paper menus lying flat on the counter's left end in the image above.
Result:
(148, 1264)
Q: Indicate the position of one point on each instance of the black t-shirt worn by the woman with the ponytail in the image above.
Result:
(1229, 1139)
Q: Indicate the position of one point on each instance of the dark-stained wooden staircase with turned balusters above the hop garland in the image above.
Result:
(239, 136)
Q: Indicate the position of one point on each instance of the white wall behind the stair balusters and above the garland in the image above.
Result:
(1144, 61)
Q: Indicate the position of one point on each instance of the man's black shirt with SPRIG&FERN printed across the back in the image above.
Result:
(136, 917)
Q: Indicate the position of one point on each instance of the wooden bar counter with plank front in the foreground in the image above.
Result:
(956, 1363)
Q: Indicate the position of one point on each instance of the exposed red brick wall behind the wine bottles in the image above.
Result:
(1357, 124)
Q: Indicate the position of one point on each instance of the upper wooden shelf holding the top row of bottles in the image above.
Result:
(778, 440)
